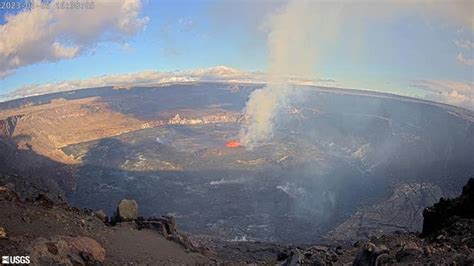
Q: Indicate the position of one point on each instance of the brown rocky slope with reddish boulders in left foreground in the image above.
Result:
(53, 233)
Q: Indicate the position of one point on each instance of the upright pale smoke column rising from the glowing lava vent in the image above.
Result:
(291, 53)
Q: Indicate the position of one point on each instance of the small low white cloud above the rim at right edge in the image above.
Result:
(448, 91)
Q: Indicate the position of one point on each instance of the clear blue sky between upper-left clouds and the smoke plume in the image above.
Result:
(179, 36)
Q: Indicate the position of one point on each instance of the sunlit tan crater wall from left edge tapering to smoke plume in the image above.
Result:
(47, 128)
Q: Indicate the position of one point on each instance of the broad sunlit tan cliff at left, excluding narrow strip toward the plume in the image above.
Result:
(46, 128)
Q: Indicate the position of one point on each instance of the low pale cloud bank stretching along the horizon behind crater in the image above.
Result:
(444, 91)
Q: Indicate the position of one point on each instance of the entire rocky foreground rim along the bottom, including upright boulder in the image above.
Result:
(52, 232)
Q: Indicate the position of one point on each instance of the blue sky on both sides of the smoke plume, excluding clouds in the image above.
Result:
(183, 35)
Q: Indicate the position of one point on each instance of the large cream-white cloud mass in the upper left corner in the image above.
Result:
(48, 35)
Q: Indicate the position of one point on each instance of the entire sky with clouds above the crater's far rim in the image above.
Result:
(419, 48)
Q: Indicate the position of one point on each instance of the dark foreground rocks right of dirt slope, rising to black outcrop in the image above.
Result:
(447, 239)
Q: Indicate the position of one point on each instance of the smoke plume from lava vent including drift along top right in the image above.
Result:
(301, 30)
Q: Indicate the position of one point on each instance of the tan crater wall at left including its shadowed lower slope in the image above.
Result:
(32, 136)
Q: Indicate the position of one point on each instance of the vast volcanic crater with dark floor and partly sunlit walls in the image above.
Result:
(338, 161)
